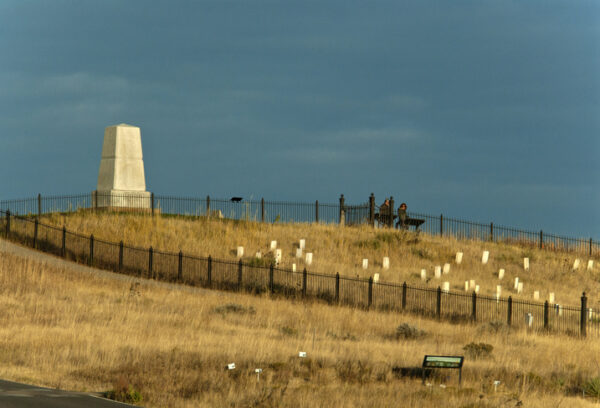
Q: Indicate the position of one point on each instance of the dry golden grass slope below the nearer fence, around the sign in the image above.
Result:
(61, 327)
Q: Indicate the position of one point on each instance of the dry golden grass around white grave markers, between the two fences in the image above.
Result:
(342, 250)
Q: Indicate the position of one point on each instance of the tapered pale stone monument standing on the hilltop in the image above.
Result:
(121, 179)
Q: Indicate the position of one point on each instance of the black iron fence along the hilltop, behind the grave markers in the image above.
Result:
(291, 212)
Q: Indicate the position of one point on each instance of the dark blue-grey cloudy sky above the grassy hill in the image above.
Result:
(481, 110)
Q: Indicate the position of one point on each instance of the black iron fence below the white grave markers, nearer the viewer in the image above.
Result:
(335, 289)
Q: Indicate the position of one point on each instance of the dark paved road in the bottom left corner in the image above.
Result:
(15, 395)
